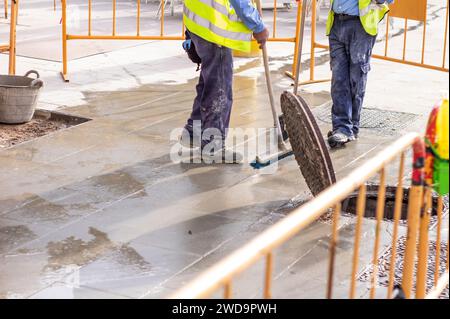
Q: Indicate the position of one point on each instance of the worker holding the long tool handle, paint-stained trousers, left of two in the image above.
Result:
(214, 29)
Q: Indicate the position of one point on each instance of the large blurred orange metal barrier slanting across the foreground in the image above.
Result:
(419, 208)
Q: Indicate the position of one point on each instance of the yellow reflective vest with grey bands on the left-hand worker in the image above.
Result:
(216, 21)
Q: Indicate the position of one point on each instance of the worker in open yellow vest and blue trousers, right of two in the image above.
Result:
(352, 28)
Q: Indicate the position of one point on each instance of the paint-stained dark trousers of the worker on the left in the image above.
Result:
(214, 100)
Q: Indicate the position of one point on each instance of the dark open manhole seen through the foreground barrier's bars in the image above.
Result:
(349, 205)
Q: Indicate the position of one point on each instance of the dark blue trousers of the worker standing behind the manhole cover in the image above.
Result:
(350, 51)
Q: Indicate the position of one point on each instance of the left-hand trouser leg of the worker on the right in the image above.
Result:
(340, 81)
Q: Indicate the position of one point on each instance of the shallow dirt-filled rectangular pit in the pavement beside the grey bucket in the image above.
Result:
(43, 123)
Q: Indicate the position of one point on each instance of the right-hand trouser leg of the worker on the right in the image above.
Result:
(360, 52)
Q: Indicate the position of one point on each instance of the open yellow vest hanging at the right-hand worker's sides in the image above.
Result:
(370, 14)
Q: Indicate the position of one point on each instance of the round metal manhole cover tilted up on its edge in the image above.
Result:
(307, 143)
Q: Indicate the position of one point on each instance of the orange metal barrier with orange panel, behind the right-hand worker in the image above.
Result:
(402, 9)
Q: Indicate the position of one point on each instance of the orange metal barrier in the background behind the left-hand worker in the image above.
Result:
(138, 35)
